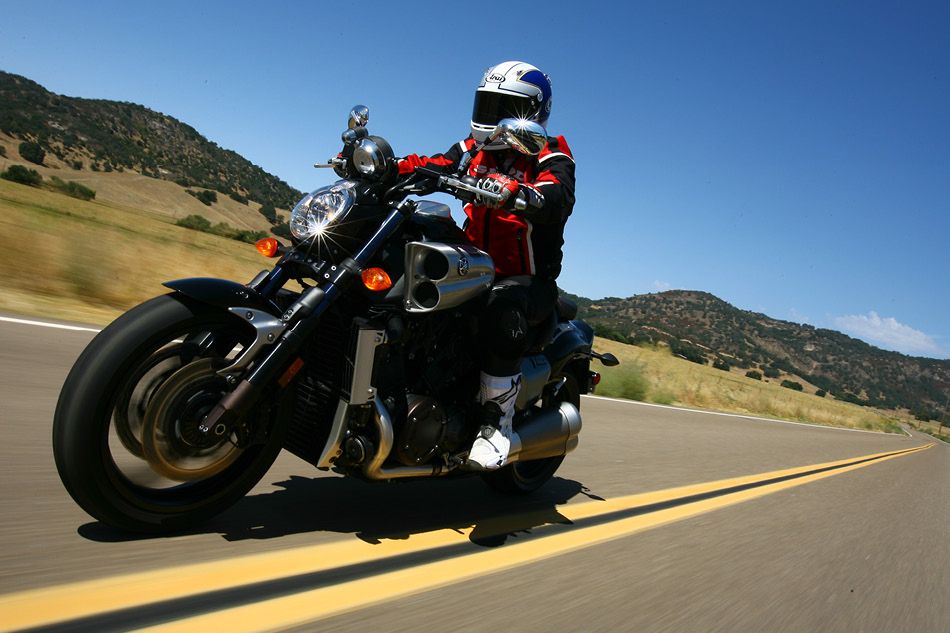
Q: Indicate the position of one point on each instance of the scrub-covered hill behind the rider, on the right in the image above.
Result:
(705, 329)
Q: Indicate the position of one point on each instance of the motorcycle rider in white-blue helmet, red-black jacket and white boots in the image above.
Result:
(524, 244)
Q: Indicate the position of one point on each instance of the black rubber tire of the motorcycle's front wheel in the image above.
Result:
(103, 467)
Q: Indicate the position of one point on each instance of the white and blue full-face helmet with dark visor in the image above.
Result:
(510, 89)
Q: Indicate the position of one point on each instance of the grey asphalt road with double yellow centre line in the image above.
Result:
(831, 547)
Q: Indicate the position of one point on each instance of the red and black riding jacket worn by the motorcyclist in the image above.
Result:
(520, 242)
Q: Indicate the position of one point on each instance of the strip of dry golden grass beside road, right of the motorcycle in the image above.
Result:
(665, 379)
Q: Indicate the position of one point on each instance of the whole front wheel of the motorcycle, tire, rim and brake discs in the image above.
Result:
(125, 434)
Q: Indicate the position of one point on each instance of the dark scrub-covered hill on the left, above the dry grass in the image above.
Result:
(110, 136)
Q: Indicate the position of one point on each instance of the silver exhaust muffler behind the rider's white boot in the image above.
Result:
(546, 434)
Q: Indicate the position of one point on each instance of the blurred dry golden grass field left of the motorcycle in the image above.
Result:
(89, 261)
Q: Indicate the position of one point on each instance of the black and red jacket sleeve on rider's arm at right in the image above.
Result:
(554, 182)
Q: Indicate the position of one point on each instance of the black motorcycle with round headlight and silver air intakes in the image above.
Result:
(355, 352)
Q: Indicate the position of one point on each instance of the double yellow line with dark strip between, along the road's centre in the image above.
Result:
(291, 587)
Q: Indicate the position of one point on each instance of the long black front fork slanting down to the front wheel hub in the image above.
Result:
(290, 332)
